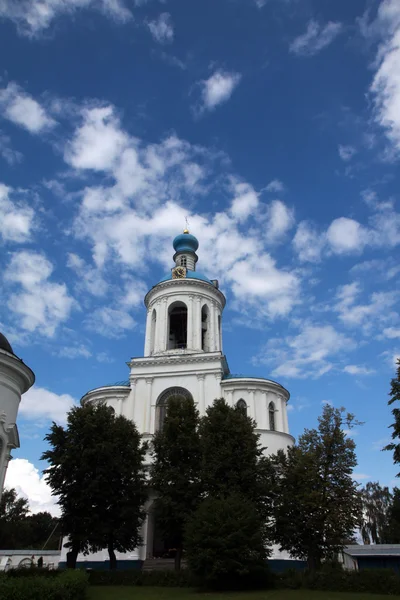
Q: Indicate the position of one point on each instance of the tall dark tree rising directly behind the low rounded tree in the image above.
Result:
(232, 457)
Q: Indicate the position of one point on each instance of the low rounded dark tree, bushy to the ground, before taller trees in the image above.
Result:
(225, 544)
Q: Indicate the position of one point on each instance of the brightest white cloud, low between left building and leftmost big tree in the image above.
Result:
(25, 478)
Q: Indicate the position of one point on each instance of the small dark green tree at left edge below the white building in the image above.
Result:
(13, 516)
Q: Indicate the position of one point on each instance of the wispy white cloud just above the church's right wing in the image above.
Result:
(307, 354)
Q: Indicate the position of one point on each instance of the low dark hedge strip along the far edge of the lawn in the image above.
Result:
(135, 577)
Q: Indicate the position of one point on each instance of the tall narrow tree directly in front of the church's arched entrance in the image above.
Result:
(174, 473)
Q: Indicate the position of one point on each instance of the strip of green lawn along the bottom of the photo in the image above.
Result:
(149, 593)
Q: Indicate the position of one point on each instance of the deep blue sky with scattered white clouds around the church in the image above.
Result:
(273, 126)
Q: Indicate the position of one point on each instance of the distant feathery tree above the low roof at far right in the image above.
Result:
(376, 503)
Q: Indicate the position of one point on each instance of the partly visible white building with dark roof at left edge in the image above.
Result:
(15, 379)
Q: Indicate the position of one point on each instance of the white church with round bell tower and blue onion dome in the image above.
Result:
(183, 356)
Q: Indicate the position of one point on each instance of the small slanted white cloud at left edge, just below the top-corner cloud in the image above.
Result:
(20, 108)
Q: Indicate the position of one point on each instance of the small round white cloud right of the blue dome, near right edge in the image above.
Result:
(346, 236)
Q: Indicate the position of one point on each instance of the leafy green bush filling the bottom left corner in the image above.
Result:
(69, 585)
